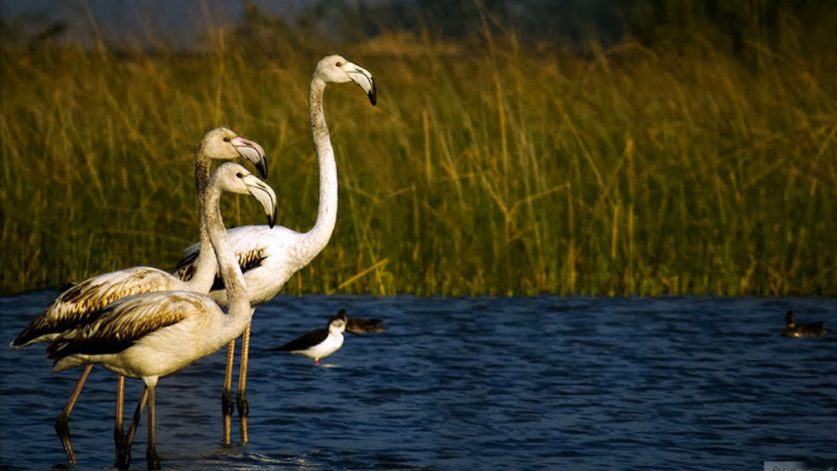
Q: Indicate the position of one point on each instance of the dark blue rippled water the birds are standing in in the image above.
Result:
(541, 383)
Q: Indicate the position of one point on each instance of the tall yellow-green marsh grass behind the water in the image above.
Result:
(486, 168)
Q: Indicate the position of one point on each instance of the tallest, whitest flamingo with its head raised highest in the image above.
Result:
(269, 257)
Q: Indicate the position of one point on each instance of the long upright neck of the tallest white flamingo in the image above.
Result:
(317, 238)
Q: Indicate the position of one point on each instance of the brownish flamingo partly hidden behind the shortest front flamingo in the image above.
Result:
(79, 304)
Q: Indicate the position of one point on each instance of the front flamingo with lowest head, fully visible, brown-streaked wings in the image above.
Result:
(152, 335)
